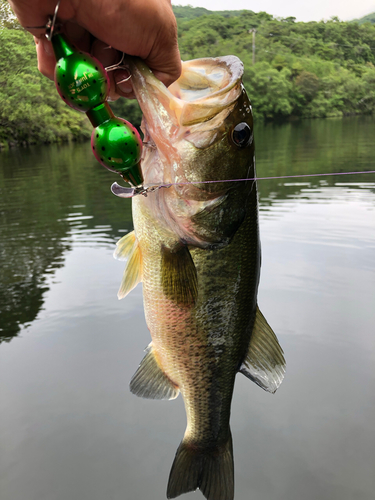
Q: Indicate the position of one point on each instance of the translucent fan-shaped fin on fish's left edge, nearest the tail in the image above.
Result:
(149, 381)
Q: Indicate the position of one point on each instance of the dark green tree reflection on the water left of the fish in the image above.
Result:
(51, 198)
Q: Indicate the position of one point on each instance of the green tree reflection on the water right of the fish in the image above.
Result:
(313, 147)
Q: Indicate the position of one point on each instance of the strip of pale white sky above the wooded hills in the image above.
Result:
(345, 10)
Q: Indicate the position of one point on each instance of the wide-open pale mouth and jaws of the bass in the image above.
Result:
(206, 88)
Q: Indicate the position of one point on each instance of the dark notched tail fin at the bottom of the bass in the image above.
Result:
(210, 470)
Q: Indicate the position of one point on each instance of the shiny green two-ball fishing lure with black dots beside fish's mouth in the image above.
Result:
(83, 83)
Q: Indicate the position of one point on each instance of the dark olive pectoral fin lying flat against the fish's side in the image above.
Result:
(179, 276)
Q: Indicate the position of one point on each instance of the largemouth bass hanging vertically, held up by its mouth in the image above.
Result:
(196, 249)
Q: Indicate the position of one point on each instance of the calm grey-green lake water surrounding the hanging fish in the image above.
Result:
(69, 427)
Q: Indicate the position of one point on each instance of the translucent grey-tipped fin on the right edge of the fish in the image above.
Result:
(264, 363)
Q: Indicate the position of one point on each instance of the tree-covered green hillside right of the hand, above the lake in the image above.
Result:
(315, 69)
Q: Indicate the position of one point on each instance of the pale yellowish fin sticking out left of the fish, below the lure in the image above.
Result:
(128, 248)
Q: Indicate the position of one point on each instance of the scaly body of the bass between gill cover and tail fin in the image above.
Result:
(201, 348)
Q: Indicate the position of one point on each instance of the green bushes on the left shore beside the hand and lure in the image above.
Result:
(31, 111)
